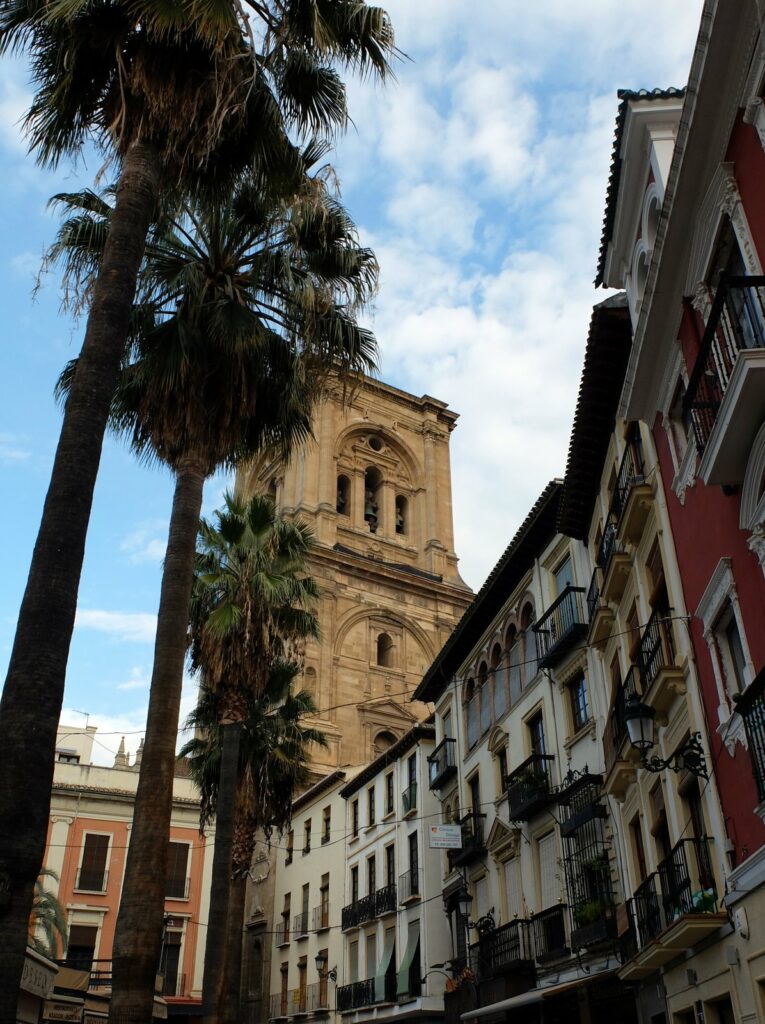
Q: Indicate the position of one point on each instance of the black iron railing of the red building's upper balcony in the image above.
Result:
(737, 322)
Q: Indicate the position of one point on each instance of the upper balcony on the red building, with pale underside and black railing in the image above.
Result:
(727, 391)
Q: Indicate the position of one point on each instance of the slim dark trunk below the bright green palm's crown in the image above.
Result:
(212, 984)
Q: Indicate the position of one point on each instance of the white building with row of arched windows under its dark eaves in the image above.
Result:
(521, 709)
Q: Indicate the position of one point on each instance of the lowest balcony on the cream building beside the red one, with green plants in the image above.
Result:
(675, 908)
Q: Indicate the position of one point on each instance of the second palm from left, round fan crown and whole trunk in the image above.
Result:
(244, 306)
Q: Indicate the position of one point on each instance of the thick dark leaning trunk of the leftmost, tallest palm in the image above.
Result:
(34, 687)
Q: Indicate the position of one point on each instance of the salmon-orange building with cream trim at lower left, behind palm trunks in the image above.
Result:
(90, 832)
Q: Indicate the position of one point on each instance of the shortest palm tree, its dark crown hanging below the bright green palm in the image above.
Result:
(274, 766)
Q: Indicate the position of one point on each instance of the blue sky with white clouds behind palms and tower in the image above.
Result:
(479, 178)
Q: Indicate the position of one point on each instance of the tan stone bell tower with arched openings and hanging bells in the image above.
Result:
(375, 486)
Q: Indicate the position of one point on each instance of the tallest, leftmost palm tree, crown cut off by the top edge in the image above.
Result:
(178, 96)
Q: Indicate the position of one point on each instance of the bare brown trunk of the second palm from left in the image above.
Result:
(139, 936)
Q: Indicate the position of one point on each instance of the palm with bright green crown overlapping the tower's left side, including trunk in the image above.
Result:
(251, 606)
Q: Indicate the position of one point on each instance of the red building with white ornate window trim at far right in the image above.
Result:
(689, 248)
